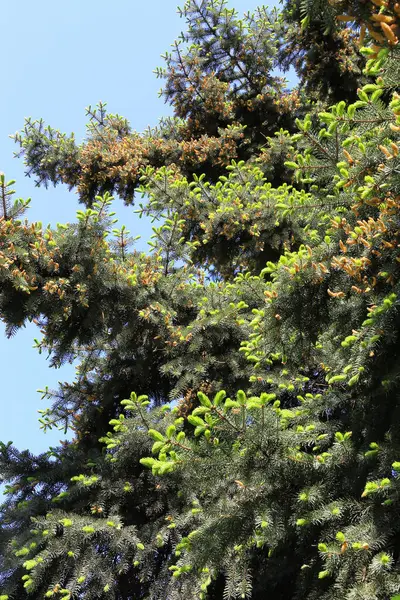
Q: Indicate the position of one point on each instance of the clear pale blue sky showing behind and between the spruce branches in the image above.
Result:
(59, 58)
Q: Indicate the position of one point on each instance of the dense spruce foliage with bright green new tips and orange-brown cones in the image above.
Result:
(234, 418)
